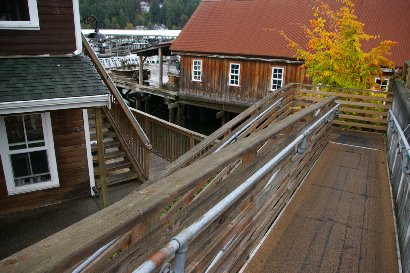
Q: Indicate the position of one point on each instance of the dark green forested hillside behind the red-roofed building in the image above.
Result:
(130, 13)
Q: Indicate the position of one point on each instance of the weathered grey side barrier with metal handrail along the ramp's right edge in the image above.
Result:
(398, 153)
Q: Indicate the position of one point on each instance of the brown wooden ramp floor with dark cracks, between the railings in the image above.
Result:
(341, 219)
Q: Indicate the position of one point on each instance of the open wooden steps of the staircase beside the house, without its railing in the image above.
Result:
(119, 168)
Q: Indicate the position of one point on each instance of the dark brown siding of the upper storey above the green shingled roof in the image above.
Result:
(56, 34)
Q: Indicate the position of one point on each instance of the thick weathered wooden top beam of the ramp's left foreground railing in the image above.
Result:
(68, 247)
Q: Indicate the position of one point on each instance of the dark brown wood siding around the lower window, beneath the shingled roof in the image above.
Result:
(71, 156)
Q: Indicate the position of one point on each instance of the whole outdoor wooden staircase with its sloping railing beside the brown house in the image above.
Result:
(126, 146)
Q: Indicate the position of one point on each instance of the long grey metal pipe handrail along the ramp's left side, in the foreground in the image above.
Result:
(180, 241)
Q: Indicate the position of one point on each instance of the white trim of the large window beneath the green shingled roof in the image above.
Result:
(52, 163)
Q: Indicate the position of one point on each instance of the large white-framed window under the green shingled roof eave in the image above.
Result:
(27, 152)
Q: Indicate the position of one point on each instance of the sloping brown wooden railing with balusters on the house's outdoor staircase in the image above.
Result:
(133, 139)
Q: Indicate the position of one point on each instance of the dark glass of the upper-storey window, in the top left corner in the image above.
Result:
(14, 10)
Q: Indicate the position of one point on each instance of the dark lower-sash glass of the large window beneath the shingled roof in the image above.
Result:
(30, 168)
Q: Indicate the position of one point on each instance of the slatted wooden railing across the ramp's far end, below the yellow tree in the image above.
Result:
(360, 109)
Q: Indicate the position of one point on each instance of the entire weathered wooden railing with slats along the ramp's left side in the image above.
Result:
(144, 221)
